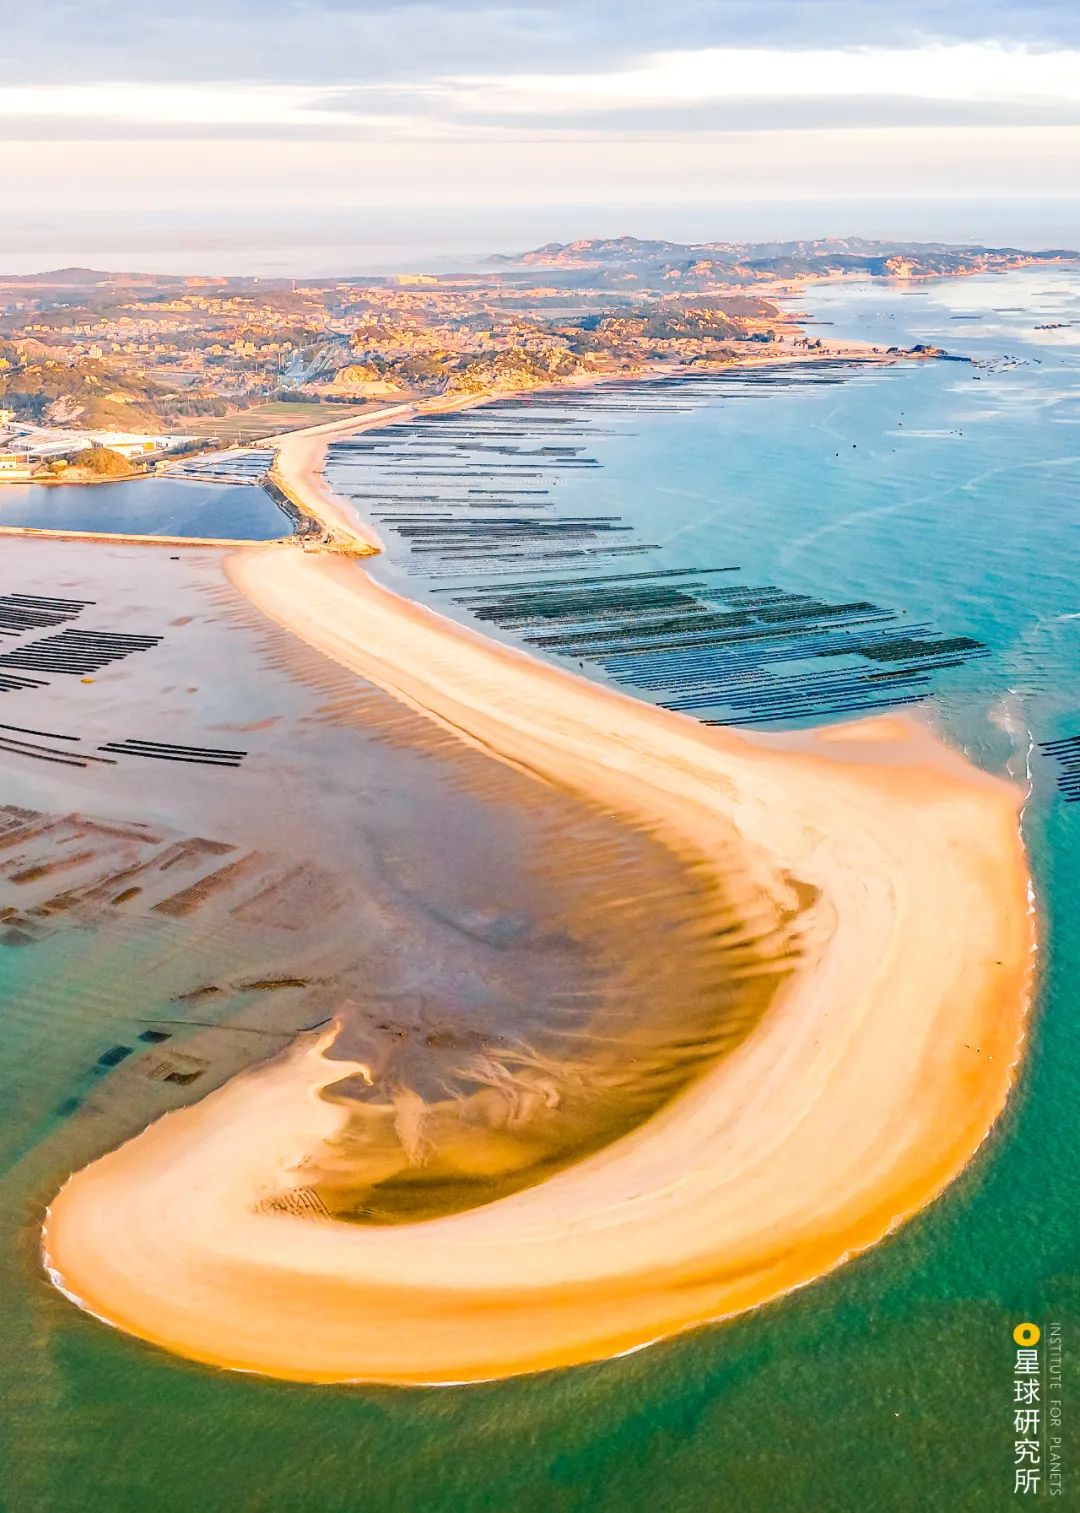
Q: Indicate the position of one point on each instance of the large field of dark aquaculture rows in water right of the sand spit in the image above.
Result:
(689, 639)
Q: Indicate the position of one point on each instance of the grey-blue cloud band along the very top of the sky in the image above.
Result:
(373, 42)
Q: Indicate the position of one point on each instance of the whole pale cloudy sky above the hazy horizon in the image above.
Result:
(225, 111)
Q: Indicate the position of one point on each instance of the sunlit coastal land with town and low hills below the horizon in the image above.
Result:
(108, 374)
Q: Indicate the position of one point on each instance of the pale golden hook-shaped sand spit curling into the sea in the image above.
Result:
(864, 1090)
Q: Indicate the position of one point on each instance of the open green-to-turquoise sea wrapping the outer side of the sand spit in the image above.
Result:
(884, 1387)
